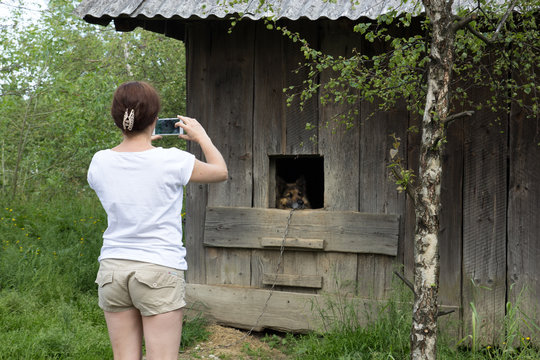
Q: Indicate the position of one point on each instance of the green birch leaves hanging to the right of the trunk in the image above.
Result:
(505, 61)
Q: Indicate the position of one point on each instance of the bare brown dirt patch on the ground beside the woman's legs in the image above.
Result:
(232, 344)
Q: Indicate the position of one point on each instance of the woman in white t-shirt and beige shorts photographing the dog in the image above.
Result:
(142, 261)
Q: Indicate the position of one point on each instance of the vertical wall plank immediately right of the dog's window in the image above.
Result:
(341, 151)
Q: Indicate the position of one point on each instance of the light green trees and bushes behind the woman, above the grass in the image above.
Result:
(57, 80)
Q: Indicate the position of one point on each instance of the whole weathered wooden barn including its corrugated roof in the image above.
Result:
(253, 265)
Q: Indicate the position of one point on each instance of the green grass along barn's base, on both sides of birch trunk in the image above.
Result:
(386, 334)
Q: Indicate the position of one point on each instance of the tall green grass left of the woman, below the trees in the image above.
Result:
(48, 263)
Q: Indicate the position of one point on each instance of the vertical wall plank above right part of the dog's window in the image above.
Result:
(297, 137)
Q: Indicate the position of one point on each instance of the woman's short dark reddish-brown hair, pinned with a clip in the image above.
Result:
(140, 97)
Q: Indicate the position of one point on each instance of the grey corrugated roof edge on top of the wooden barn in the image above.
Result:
(290, 9)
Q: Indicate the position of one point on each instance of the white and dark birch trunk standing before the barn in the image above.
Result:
(428, 194)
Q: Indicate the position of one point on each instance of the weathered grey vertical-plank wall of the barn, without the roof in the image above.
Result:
(489, 244)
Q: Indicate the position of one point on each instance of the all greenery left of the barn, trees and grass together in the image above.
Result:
(57, 76)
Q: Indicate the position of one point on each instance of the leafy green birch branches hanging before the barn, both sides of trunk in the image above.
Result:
(506, 64)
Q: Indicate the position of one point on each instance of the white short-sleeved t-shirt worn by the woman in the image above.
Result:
(142, 195)
